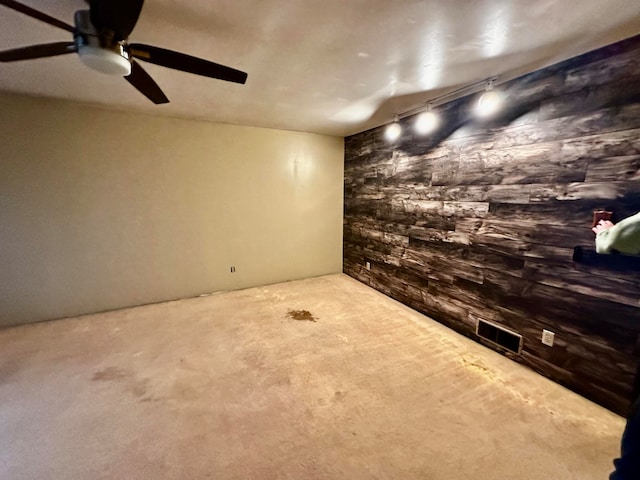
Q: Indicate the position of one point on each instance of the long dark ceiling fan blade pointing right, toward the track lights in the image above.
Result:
(186, 63)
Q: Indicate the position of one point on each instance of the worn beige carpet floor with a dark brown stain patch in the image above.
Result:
(232, 386)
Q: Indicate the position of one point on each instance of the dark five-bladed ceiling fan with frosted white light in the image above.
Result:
(100, 38)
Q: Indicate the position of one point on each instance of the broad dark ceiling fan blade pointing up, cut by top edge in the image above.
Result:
(118, 16)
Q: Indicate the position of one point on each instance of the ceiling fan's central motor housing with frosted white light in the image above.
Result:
(100, 52)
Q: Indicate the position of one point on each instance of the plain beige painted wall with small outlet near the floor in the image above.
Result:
(102, 209)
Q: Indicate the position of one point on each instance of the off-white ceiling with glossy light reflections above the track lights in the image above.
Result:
(326, 66)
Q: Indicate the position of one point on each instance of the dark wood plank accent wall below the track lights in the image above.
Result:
(479, 221)
